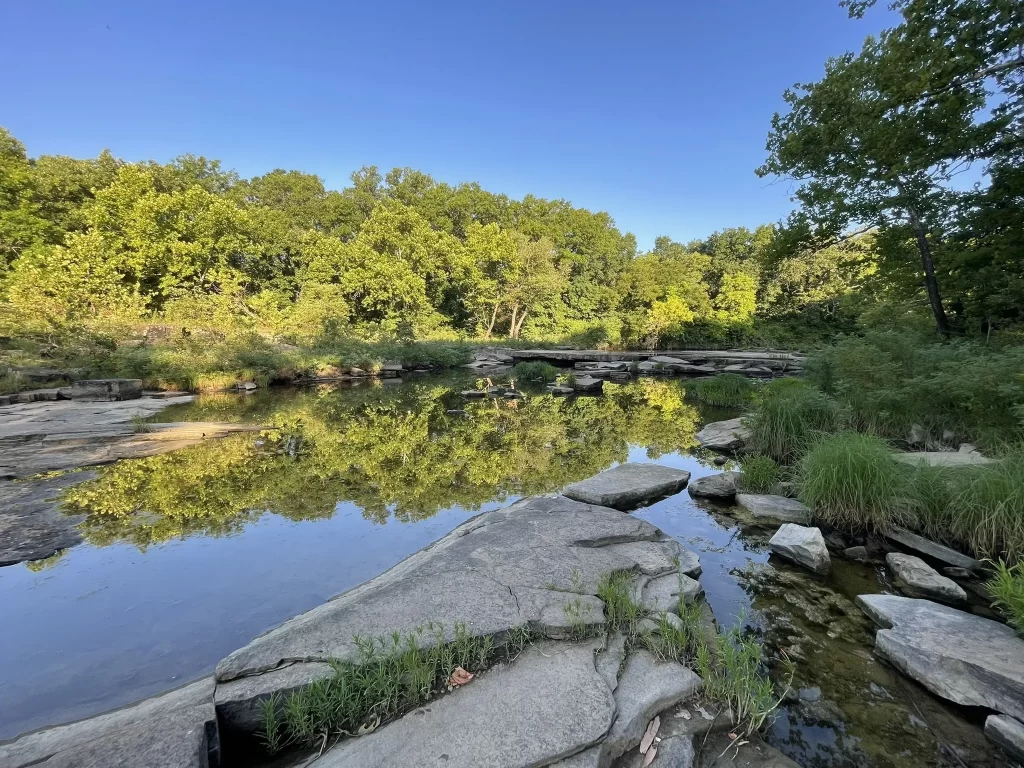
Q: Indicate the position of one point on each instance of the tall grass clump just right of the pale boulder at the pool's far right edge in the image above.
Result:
(790, 418)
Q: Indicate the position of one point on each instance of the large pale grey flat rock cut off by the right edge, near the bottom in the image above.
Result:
(957, 656)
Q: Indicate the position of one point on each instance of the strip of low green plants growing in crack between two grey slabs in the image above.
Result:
(390, 676)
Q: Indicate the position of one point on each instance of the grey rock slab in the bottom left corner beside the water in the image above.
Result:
(178, 730)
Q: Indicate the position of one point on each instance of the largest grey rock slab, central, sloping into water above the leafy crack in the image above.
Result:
(517, 567)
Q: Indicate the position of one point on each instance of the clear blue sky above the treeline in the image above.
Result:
(656, 112)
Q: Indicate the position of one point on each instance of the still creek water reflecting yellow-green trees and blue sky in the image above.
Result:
(190, 556)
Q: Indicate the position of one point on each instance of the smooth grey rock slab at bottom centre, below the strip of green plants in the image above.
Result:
(550, 704)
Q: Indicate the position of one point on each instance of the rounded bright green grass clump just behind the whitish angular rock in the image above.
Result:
(851, 481)
